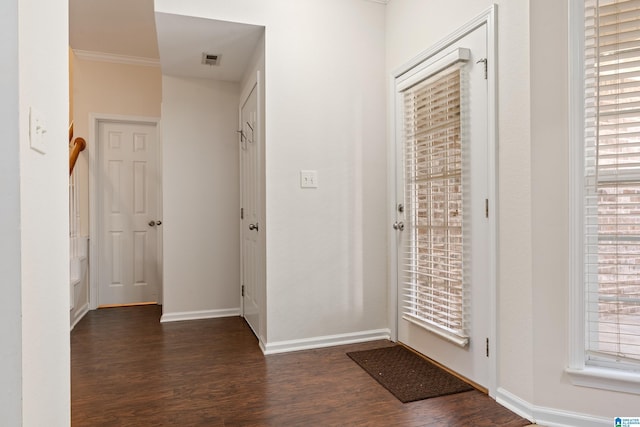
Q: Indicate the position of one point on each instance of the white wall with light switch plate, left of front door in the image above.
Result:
(325, 103)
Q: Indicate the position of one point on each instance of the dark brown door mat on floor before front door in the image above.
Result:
(406, 375)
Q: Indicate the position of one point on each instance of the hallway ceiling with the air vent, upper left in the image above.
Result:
(130, 28)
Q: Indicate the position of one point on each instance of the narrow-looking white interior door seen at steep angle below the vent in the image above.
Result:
(250, 216)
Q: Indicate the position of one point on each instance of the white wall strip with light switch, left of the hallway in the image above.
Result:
(44, 217)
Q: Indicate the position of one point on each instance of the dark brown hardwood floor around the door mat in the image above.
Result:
(127, 369)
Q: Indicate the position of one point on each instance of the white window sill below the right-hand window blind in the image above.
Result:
(605, 379)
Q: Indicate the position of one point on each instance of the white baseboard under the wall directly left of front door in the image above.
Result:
(324, 341)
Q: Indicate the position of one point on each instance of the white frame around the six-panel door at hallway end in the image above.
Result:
(95, 119)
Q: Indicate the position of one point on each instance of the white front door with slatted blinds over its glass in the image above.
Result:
(442, 207)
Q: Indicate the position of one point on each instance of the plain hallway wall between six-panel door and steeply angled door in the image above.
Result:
(200, 196)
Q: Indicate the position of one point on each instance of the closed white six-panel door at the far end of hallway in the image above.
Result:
(128, 176)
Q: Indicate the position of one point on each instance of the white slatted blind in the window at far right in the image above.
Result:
(612, 183)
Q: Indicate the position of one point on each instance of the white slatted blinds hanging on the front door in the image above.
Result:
(431, 269)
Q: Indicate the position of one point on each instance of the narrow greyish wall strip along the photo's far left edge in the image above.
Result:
(10, 271)
